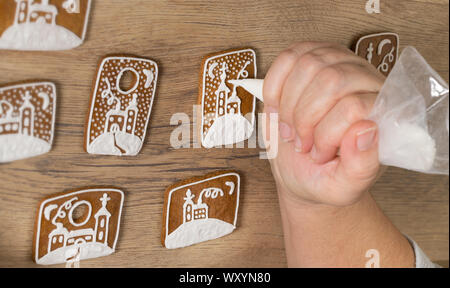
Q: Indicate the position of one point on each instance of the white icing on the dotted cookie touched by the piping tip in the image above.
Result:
(231, 126)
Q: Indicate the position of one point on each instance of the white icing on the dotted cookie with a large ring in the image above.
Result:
(118, 137)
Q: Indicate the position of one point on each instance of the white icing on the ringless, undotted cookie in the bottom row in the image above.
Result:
(197, 226)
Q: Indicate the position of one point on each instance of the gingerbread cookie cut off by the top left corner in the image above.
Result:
(43, 24)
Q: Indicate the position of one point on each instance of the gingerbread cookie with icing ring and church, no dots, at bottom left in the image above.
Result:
(77, 225)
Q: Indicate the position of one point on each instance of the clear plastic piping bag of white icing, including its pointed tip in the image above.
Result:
(412, 114)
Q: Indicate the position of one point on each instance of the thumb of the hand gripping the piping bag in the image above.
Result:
(359, 162)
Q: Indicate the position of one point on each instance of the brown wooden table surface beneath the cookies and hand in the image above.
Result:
(177, 34)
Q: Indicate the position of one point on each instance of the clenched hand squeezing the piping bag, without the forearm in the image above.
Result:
(327, 152)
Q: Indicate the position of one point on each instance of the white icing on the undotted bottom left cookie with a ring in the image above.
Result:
(77, 244)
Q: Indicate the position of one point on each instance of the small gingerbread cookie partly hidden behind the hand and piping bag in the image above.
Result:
(381, 50)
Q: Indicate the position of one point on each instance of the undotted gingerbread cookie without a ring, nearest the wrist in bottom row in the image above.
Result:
(200, 209)
